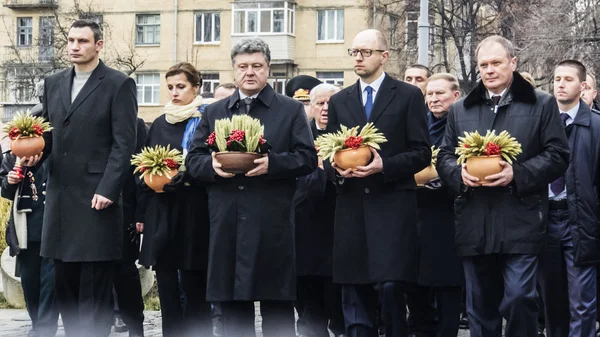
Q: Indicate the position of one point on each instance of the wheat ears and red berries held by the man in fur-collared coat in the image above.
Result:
(475, 145)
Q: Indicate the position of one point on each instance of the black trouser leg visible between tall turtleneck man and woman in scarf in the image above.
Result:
(128, 288)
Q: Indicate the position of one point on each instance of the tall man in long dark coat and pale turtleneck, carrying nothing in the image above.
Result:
(93, 111)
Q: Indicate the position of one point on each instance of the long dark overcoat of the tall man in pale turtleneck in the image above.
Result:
(89, 152)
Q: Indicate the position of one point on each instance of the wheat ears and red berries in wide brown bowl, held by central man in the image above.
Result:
(241, 133)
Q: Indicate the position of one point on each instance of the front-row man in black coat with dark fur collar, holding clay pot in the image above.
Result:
(499, 226)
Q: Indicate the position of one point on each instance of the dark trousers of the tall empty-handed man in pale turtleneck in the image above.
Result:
(84, 295)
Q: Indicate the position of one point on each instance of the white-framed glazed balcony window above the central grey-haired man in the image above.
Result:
(287, 24)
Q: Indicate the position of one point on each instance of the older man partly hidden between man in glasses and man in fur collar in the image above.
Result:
(439, 267)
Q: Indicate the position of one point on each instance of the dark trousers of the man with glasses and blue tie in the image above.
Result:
(360, 301)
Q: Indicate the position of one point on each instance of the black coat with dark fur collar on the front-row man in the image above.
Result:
(511, 219)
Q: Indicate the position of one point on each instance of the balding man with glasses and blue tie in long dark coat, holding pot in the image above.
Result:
(375, 221)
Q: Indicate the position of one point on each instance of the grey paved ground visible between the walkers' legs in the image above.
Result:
(15, 323)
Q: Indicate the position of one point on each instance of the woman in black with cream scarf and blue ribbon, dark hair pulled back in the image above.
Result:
(175, 223)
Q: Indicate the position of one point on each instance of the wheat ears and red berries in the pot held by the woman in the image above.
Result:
(158, 160)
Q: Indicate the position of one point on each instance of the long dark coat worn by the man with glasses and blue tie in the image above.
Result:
(375, 222)
